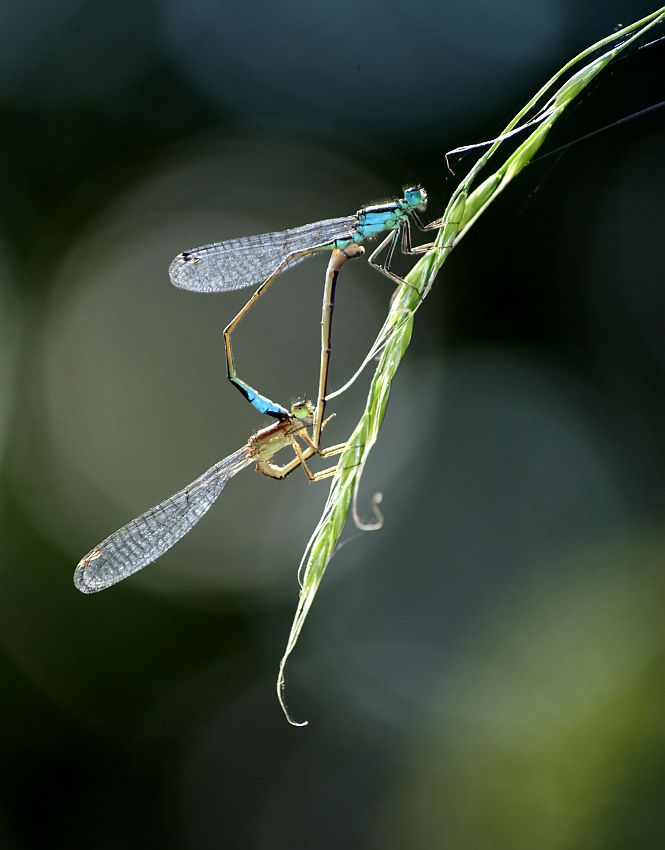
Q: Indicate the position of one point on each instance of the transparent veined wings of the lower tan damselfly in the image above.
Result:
(145, 538)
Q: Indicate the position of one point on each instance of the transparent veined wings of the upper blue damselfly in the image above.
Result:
(248, 261)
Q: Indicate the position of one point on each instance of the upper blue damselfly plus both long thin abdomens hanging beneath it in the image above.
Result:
(259, 260)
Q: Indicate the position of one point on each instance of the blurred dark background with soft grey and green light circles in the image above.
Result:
(485, 671)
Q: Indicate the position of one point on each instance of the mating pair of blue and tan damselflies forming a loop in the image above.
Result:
(236, 264)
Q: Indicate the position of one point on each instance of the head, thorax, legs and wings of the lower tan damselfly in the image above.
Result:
(150, 535)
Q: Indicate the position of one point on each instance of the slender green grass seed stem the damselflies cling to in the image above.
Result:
(466, 205)
